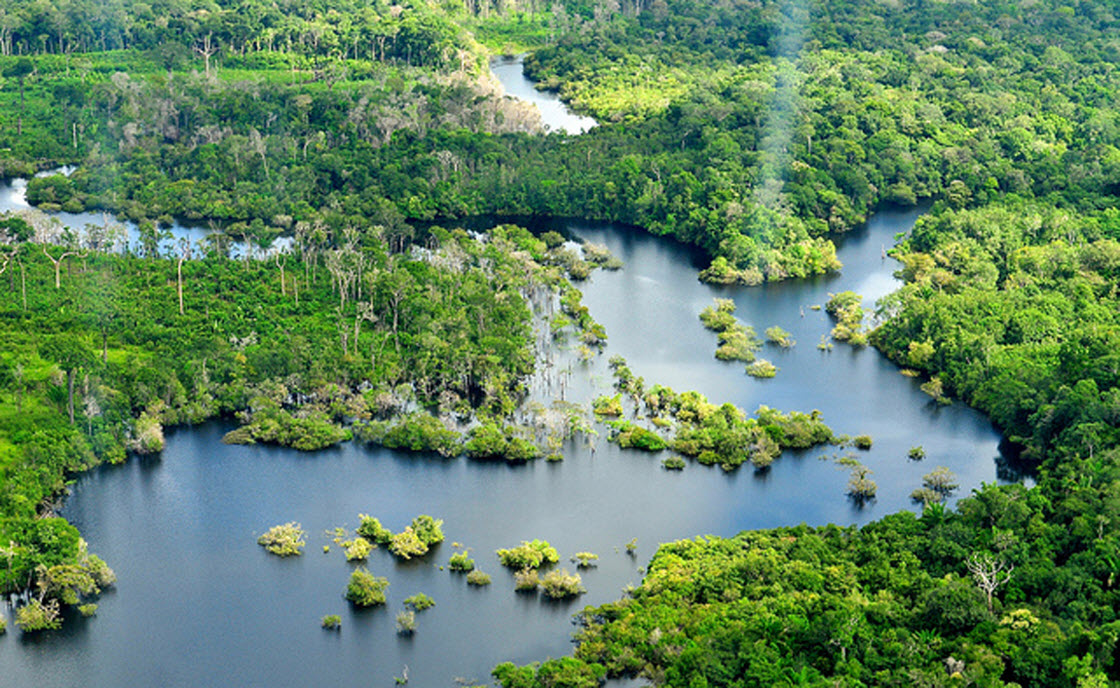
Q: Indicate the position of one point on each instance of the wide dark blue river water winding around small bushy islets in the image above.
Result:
(199, 603)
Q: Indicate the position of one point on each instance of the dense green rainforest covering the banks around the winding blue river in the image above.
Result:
(754, 131)
